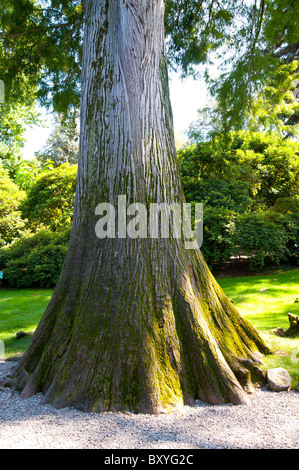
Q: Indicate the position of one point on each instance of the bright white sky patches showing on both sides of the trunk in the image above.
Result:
(187, 96)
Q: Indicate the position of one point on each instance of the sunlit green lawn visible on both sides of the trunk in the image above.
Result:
(263, 299)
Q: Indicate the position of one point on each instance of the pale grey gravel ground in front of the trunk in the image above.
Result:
(270, 422)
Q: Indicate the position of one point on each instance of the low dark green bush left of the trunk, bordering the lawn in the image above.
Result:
(35, 260)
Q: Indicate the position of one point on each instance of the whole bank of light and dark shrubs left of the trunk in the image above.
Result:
(29, 259)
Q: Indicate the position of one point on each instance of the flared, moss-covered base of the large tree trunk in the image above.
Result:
(187, 343)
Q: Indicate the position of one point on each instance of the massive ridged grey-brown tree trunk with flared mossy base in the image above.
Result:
(134, 324)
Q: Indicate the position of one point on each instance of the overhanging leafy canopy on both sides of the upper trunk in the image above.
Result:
(42, 41)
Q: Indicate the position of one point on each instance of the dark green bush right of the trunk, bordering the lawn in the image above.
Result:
(264, 236)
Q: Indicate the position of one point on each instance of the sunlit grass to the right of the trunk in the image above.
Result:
(265, 300)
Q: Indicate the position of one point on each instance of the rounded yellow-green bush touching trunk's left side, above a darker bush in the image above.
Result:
(50, 198)
